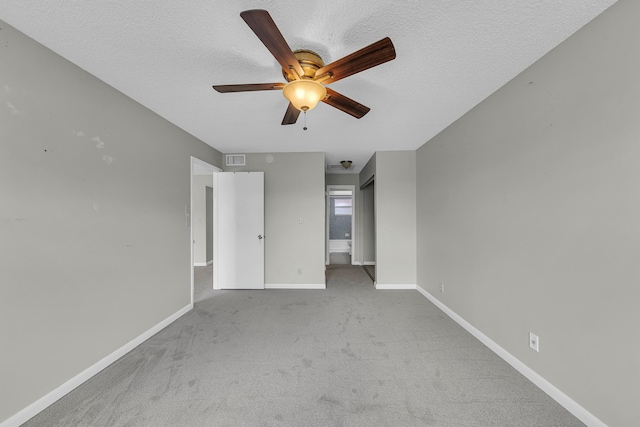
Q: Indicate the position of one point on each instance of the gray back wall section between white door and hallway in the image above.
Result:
(294, 189)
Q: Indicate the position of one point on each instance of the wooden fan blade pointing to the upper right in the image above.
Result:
(368, 57)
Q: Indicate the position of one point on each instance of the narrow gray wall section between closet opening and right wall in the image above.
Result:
(395, 217)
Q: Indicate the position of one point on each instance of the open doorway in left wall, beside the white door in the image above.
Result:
(201, 229)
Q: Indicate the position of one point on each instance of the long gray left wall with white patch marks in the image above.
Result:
(94, 246)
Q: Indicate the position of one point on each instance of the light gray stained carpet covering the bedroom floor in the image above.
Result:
(346, 356)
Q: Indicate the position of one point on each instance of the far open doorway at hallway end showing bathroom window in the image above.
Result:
(340, 224)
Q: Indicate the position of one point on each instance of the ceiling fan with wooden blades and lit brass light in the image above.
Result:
(305, 72)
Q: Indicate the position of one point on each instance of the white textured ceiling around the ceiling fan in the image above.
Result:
(167, 54)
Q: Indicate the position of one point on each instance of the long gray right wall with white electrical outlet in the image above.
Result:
(528, 211)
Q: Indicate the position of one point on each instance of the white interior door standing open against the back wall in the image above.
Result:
(240, 230)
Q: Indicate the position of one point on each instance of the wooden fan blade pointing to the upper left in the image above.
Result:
(263, 26)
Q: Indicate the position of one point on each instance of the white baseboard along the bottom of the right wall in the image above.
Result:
(569, 404)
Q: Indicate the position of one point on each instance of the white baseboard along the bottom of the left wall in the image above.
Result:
(47, 400)
